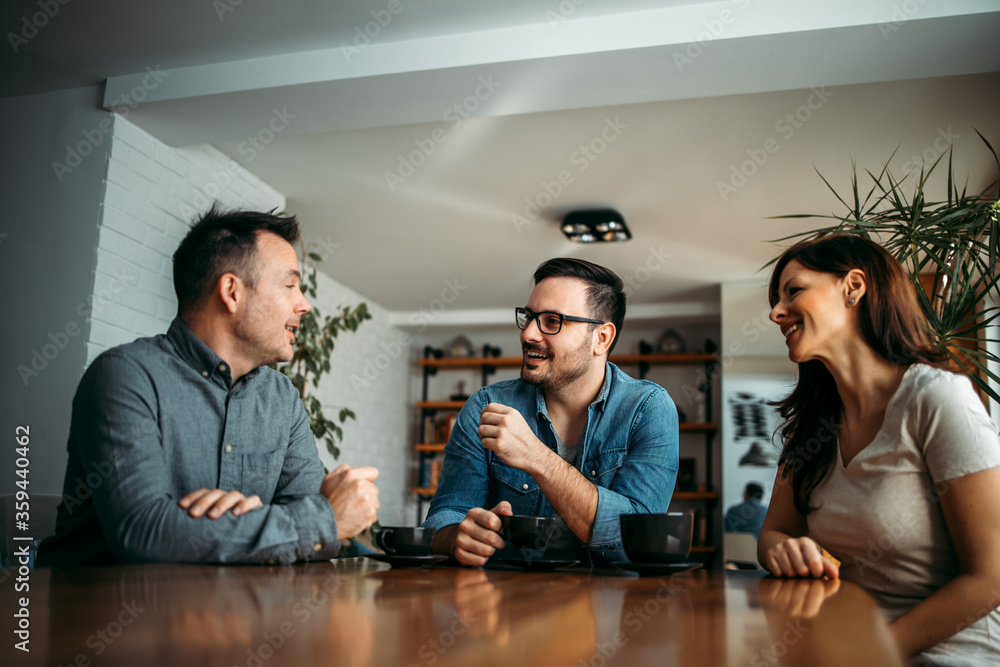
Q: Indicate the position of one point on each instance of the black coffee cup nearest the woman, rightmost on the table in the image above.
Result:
(657, 538)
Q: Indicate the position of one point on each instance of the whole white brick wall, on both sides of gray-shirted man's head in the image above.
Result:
(152, 193)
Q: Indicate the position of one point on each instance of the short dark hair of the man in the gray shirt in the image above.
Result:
(223, 242)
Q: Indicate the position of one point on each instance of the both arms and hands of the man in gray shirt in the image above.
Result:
(116, 426)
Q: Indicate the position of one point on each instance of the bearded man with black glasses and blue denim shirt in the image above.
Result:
(574, 437)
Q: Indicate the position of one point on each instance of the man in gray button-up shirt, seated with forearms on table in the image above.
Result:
(183, 447)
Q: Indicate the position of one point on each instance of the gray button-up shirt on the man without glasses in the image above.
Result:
(158, 418)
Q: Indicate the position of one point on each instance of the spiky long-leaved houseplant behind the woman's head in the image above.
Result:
(949, 247)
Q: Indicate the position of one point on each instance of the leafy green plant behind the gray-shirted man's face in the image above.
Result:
(314, 343)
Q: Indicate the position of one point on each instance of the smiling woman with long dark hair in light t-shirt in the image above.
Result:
(907, 495)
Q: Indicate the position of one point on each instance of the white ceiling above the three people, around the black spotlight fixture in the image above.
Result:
(865, 77)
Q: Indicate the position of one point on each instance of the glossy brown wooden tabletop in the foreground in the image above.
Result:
(356, 611)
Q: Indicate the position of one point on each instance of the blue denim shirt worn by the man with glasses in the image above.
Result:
(629, 451)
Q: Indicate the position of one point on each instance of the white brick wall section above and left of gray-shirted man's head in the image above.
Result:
(152, 193)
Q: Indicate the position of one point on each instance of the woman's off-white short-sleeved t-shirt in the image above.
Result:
(881, 517)
